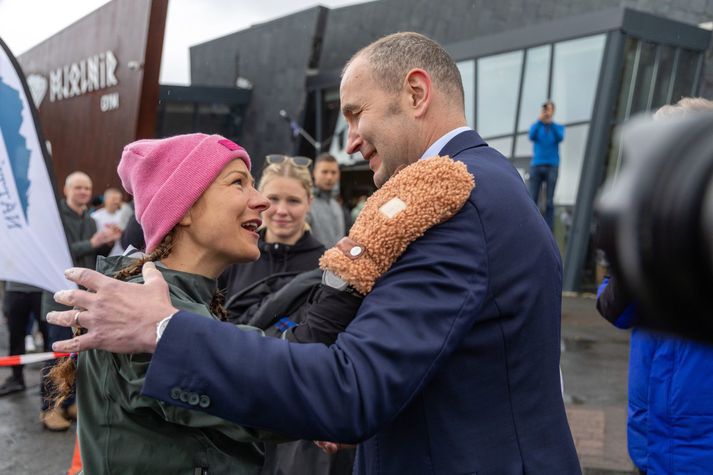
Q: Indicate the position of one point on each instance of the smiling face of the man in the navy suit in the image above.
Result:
(379, 128)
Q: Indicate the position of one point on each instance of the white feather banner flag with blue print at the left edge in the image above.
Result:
(33, 247)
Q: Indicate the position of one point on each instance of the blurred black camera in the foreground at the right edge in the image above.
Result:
(655, 222)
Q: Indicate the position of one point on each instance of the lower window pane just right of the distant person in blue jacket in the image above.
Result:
(571, 160)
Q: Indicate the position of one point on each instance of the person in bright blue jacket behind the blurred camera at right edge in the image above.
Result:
(670, 413)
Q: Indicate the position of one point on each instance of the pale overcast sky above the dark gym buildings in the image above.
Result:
(25, 23)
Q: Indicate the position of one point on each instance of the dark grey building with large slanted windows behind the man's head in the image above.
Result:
(600, 62)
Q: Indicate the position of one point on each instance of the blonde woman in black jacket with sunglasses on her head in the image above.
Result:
(287, 248)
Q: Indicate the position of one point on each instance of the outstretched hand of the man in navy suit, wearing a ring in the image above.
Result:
(120, 317)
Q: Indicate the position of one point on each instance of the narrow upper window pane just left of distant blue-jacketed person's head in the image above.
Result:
(534, 88)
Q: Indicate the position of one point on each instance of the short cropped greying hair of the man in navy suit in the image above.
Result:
(392, 56)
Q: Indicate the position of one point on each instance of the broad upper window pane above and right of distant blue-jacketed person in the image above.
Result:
(575, 76)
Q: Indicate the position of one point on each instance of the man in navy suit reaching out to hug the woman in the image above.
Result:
(451, 365)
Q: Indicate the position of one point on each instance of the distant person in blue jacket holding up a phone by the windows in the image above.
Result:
(546, 136)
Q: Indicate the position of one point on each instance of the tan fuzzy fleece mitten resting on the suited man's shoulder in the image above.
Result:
(421, 195)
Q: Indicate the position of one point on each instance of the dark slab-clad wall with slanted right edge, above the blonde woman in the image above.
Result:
(275, 58)
